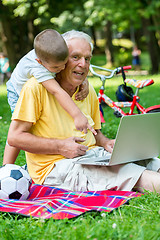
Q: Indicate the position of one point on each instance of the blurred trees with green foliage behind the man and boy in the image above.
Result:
(115, 26)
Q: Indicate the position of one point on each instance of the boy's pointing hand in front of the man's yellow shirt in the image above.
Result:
(81, 124)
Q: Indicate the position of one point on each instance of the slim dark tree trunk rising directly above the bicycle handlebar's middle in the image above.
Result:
(109, 45)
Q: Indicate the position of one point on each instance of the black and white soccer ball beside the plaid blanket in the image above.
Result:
(14, 182)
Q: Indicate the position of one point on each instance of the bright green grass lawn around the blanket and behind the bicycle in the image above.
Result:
(138, 220)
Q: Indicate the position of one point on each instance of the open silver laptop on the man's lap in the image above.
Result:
(138, 138)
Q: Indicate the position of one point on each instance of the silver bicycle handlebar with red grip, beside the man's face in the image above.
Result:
(114, 71)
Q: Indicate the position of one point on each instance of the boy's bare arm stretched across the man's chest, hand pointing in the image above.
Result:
(68, 104)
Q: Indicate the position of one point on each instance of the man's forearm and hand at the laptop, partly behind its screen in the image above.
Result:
(103, 141)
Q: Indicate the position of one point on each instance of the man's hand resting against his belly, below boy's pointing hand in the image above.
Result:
(72, 148)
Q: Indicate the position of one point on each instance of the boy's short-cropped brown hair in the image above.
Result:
(49, 45)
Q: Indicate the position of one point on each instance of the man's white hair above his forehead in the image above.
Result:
(77, 34)
